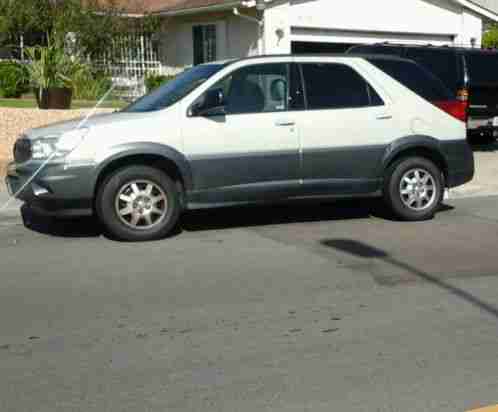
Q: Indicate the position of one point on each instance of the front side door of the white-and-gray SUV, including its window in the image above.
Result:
(248, 150)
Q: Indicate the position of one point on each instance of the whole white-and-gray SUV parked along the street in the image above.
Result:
(253, 130)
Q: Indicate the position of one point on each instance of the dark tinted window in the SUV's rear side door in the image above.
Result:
(336, 86)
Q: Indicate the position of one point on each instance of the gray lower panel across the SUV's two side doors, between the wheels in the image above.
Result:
(238, 179)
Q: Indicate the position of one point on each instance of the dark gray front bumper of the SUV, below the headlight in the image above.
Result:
(57, 189)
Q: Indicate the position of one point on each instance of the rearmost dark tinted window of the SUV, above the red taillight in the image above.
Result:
(416, 78)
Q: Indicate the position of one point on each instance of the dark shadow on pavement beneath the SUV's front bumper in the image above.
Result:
(70, 228)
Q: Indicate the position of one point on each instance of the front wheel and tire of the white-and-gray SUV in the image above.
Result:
(138, 203)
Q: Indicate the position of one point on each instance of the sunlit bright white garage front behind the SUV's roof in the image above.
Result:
(364, 21)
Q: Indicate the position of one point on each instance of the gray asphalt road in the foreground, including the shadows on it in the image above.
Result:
(328, 307)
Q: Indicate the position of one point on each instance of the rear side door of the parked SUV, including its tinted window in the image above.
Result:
(344, 131)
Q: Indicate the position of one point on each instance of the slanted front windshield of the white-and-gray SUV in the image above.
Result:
(174, 90)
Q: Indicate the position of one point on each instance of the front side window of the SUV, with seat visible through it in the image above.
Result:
(255, 89)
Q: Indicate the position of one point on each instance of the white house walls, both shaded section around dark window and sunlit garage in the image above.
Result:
(355, 21)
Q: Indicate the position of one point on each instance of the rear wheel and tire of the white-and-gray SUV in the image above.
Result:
(413, 188)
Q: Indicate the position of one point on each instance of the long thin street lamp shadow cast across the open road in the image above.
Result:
(363, 250)
